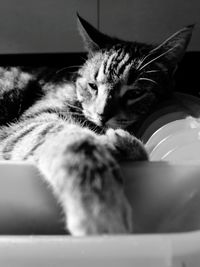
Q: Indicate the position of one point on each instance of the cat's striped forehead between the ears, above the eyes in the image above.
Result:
(113, 64)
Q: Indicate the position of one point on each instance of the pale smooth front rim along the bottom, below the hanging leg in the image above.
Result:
(137, 250)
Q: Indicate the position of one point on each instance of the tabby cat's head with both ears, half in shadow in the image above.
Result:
(120, 81)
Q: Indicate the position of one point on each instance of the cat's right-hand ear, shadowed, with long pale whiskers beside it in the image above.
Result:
(175, 46)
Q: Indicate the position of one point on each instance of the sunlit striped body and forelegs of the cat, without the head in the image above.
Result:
(79, 164)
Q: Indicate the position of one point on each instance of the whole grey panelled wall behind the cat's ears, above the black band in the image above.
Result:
(30, 26)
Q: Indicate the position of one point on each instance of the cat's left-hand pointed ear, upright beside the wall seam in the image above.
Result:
(92, 38)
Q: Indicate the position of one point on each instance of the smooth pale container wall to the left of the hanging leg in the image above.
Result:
(27, 205)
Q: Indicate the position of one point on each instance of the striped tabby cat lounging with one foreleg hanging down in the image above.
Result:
(75, 131)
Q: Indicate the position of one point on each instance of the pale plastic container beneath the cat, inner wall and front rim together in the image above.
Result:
(164, 197)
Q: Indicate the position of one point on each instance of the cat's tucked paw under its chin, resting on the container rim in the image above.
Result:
(127, 146)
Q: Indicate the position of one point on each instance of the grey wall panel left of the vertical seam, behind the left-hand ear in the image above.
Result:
(29, 26)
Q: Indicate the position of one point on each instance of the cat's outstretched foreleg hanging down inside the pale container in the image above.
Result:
(87, 182)
